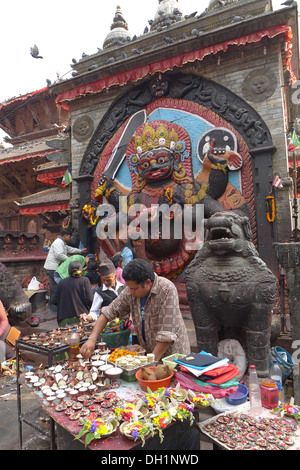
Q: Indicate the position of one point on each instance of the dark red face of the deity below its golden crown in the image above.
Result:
(156, 164)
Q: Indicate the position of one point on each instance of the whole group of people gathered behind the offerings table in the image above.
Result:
(123, 287)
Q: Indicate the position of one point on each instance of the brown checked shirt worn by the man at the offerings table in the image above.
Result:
(163, 319)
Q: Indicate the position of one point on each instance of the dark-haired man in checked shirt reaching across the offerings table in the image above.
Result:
(152, 302)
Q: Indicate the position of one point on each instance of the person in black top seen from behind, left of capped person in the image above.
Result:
(73, 296)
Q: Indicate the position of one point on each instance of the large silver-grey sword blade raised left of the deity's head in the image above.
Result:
(119, 152)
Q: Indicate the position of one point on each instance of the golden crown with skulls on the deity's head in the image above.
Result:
(152, 138)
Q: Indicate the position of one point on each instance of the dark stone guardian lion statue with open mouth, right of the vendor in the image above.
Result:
(231, 291)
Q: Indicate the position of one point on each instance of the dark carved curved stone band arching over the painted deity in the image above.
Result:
(233, 109)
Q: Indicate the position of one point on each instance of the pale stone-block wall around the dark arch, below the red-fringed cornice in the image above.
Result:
(230, 71)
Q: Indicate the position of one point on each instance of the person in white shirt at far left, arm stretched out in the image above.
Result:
(58, 253)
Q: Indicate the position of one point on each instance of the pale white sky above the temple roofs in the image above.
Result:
(62, 30)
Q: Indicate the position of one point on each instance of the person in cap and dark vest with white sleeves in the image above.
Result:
(105, 294)
